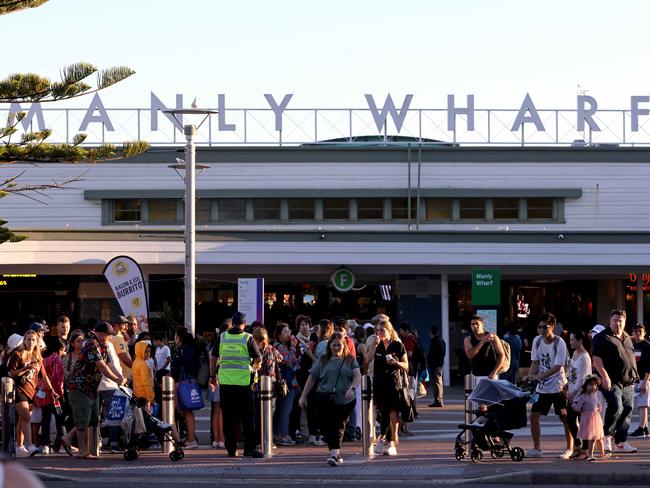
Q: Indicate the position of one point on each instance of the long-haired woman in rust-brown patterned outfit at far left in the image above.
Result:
(25, 366)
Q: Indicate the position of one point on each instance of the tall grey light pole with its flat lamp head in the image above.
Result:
(190, 199)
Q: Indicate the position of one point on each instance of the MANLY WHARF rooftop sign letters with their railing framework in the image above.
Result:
(461, 121)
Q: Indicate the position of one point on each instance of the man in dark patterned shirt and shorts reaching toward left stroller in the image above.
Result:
(83, 382)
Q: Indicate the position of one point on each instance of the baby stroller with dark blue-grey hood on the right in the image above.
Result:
(506, 409)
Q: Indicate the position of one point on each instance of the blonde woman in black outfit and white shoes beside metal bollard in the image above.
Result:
(390, 366)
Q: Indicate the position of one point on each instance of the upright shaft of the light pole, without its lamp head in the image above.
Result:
(190, 249)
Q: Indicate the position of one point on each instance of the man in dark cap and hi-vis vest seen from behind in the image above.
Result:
(237, 357)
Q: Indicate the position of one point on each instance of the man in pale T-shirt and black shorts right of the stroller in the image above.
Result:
(549, 358)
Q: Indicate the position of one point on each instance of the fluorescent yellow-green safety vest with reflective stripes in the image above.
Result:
(234, 359)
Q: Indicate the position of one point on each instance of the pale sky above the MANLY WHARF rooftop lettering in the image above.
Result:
(330, 53)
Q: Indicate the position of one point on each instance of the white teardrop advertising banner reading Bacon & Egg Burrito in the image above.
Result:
(127, 282)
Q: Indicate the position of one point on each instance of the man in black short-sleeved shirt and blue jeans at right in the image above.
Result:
(613, 359)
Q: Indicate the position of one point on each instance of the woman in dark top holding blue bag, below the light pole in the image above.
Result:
(184, 365)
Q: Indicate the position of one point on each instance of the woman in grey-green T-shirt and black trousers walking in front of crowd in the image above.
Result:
(337, 373)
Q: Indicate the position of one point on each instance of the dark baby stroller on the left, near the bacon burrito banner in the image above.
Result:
(140, 426)
